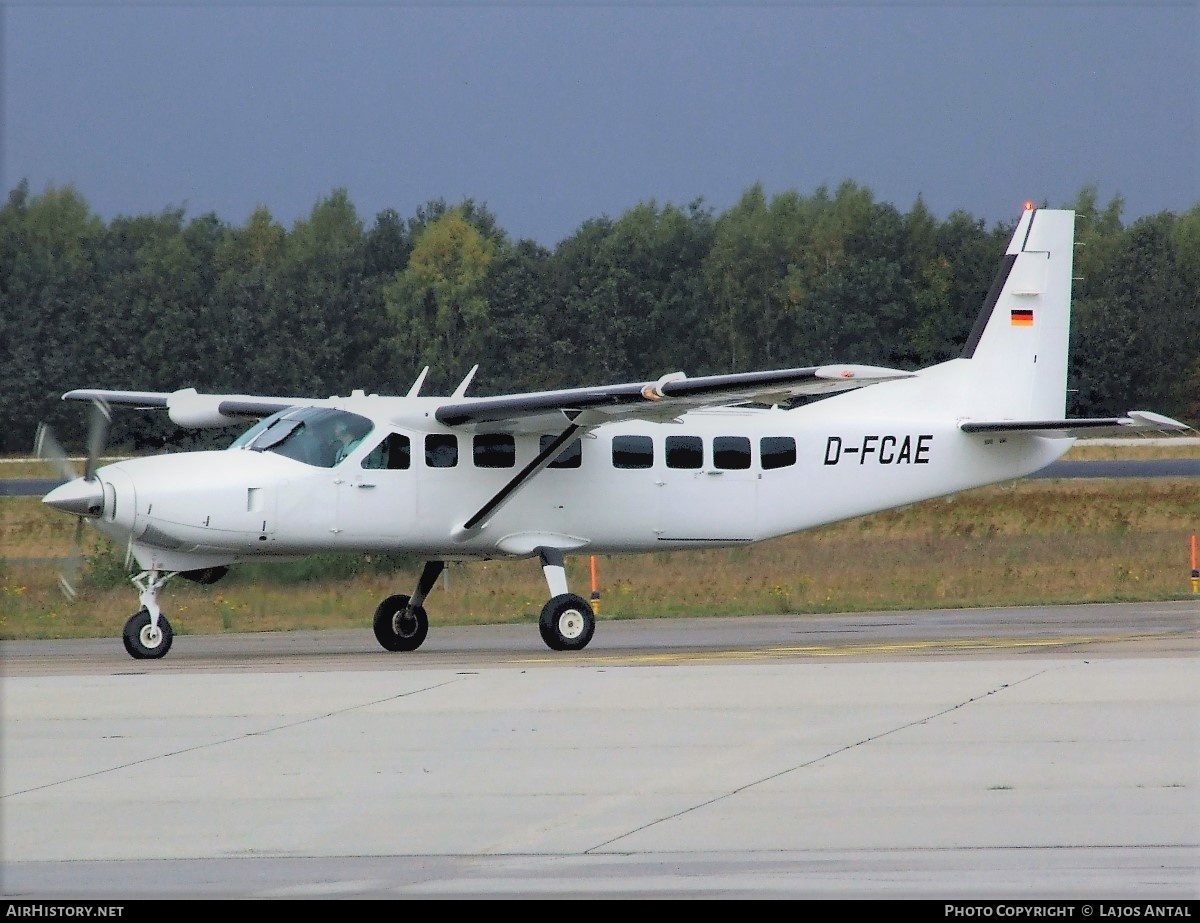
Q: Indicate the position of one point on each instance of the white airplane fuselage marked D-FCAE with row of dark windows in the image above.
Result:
(713, 478)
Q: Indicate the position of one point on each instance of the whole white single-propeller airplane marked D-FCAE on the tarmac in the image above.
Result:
(671, 464)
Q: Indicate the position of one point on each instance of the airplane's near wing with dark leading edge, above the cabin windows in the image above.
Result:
(664, 399)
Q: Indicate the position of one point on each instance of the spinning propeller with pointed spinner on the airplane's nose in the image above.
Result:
(85, 499)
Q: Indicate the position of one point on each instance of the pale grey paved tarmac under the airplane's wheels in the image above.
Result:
(986, 754)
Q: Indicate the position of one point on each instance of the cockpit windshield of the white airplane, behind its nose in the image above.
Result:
(317, 436)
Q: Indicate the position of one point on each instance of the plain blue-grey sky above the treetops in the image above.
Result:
(556, 113)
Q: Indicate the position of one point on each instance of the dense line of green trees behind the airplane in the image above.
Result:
(335, 303)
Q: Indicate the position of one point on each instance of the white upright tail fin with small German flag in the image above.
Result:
(1018, 349)
